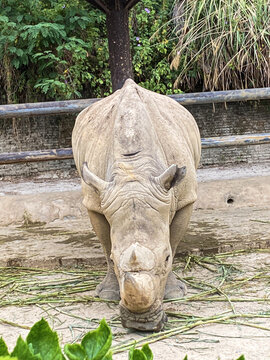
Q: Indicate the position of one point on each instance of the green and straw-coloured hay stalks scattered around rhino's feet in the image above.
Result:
(210, 279)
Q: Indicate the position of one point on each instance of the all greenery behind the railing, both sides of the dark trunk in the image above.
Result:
(58, 49)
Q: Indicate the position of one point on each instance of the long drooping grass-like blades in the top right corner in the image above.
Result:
(222, 44)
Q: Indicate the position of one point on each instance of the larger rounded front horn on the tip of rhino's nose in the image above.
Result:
(137, 292)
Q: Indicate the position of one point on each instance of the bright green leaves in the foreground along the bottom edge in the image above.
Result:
(42, 344)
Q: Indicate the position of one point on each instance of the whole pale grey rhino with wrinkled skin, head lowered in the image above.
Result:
(137, 153)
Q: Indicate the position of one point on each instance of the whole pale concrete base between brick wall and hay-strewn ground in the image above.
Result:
(43, 223)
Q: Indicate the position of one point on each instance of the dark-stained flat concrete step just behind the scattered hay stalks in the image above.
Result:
(72, 242)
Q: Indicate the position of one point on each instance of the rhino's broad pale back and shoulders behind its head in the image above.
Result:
(135, 119)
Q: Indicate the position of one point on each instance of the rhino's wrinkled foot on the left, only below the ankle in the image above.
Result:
(109, 288)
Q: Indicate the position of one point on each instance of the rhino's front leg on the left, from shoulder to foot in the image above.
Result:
(109, 287)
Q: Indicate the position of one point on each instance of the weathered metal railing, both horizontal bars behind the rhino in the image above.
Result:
(75, 106)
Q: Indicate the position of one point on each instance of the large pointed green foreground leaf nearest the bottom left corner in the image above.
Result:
(44, 341)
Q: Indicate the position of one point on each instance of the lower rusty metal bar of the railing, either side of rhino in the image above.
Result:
(66, 153)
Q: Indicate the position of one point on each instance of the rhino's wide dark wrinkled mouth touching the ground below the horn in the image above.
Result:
(152, 320)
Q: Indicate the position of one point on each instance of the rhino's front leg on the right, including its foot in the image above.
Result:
(174, 287)
